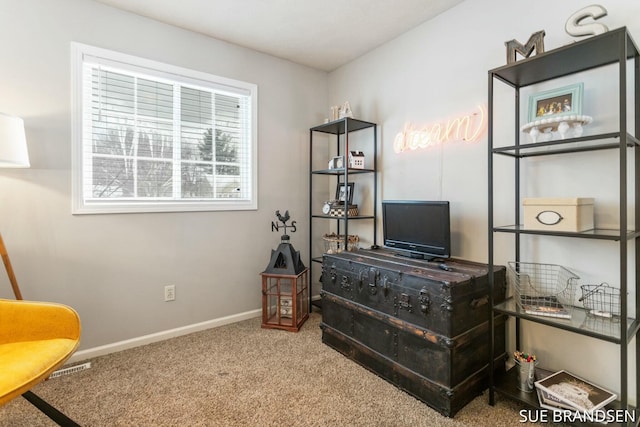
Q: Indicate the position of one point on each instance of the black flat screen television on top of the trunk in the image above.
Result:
(418, 229)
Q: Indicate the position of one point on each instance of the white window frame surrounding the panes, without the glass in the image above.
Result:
(160, 70)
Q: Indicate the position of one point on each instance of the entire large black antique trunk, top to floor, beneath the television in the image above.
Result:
(422, 328)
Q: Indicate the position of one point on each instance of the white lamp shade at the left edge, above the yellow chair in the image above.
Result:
(13, 143)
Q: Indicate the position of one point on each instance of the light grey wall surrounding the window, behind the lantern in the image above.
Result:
(113, 268)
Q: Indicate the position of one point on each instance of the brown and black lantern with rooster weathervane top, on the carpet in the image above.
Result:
(285, 284)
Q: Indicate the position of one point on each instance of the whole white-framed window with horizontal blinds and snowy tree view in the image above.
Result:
(151, 137)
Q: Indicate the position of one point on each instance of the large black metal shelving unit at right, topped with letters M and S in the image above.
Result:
(615, 48)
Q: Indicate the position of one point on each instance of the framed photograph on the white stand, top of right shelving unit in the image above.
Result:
(557, 102)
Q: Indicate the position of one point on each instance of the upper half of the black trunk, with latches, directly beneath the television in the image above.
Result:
(419, 292)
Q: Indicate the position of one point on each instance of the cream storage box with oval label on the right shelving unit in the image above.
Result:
(565, 214)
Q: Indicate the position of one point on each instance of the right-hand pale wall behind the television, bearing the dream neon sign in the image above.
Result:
(438, 71)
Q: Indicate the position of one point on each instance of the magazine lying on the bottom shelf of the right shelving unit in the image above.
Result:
(580, 394)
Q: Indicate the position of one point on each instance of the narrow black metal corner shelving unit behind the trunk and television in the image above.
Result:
(339, 131)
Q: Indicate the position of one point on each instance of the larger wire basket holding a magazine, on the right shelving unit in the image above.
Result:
(543, 289)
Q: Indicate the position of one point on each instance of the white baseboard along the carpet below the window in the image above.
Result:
(160, 336)
